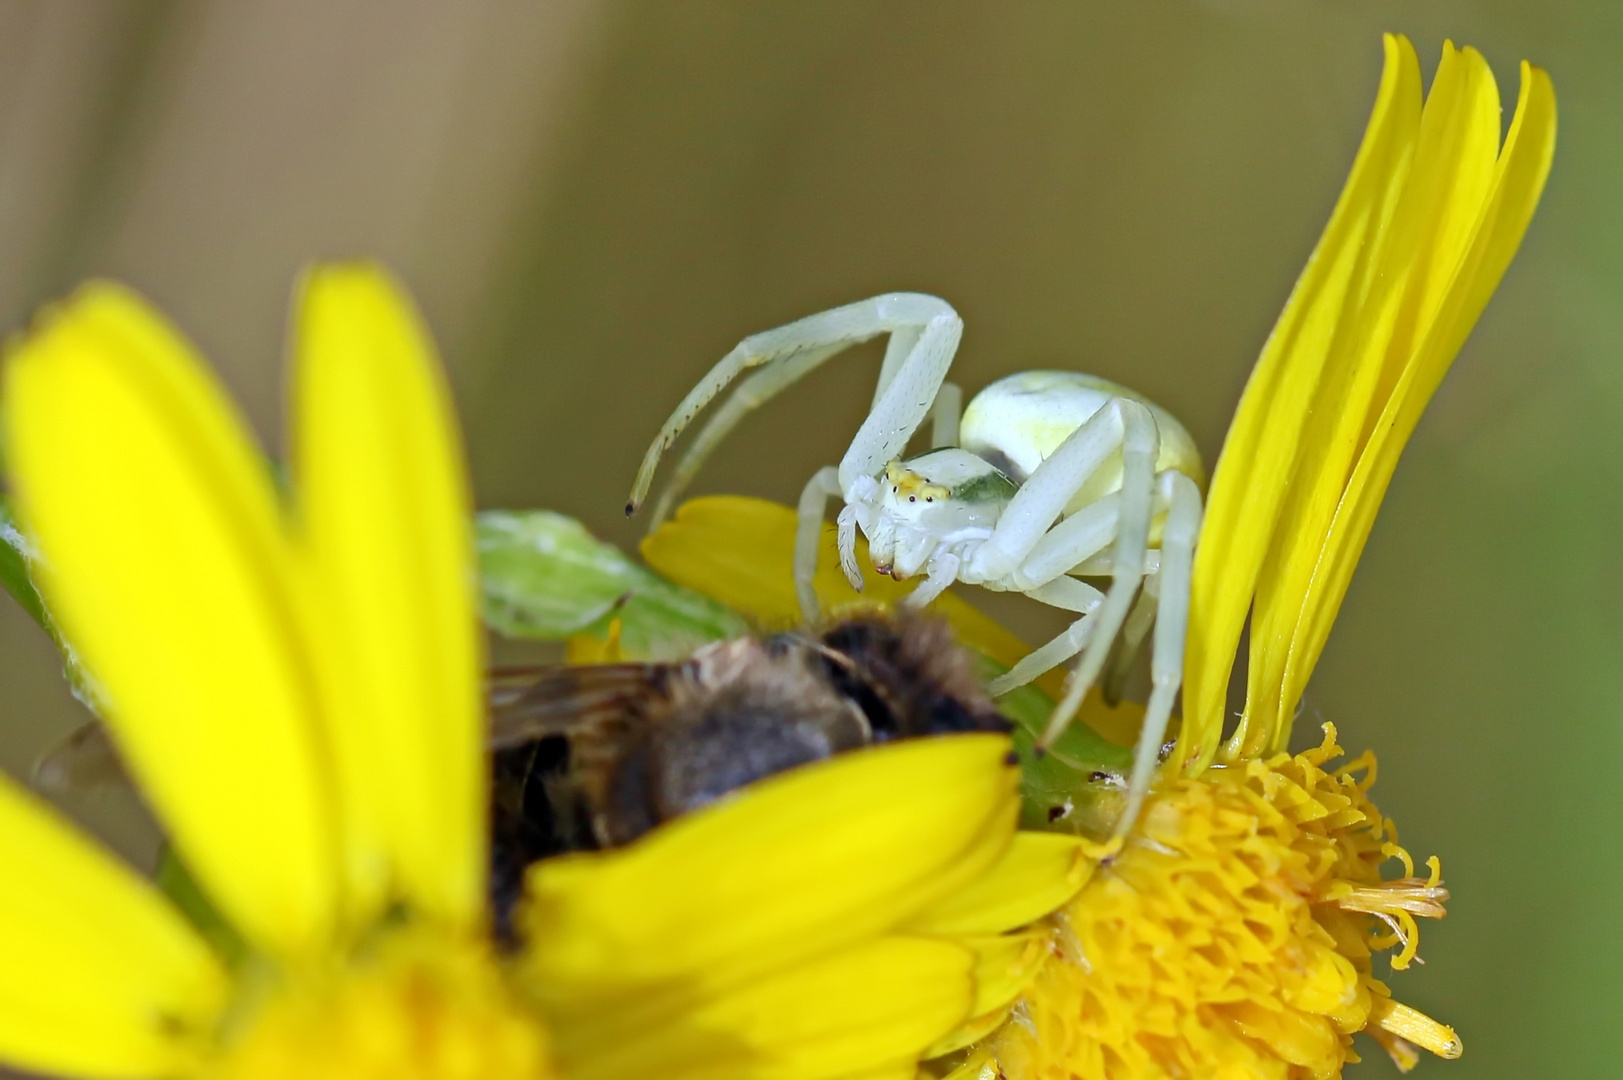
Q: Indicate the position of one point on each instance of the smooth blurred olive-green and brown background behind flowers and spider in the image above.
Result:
(593, 202)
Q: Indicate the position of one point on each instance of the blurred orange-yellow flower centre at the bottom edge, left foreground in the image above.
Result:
(421, 1008)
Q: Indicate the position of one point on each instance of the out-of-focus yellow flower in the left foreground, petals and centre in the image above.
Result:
(296, 685)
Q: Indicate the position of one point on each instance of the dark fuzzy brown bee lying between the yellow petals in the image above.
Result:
(596, 756)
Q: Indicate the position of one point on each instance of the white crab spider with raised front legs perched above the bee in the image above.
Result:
(1044, 478)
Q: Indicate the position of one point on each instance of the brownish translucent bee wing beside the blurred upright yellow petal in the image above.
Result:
(538, 702)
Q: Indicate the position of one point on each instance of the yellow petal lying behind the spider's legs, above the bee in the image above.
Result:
(741, 553)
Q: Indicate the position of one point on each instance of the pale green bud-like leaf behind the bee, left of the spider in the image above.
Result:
(546, 577)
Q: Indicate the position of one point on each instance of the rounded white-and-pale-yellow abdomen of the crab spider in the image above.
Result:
(1018, 421)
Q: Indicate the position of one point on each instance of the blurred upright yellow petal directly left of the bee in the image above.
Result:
(385, 522)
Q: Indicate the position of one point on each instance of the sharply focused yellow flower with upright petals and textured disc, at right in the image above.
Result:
(1233, 936)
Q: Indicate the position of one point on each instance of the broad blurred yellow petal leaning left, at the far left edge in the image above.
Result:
(166, 568)
